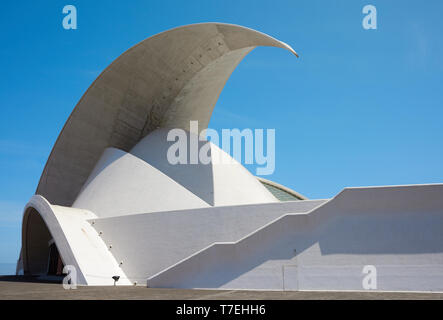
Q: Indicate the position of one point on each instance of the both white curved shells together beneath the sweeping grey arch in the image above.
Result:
(144, 181)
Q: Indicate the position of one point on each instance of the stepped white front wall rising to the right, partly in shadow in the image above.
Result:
(397, 229)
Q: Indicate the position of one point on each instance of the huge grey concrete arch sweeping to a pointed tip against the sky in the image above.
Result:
(164, 81)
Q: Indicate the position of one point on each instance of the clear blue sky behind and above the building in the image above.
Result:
(359, 108)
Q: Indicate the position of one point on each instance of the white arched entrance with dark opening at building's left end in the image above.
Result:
(76, 240)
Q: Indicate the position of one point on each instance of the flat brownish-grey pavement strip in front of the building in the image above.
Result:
(12, 288)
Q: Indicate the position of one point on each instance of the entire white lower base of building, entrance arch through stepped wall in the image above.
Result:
(274, 246)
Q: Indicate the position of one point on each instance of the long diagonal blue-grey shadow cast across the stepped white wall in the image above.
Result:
(335, 226)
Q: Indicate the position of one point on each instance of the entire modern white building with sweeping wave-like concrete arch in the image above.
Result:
(110, 204)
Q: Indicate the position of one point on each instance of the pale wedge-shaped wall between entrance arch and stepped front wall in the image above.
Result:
(149, 243)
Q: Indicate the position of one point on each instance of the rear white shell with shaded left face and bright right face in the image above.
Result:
(224, 181)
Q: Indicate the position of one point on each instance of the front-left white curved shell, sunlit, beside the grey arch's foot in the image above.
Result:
(123, 184)
